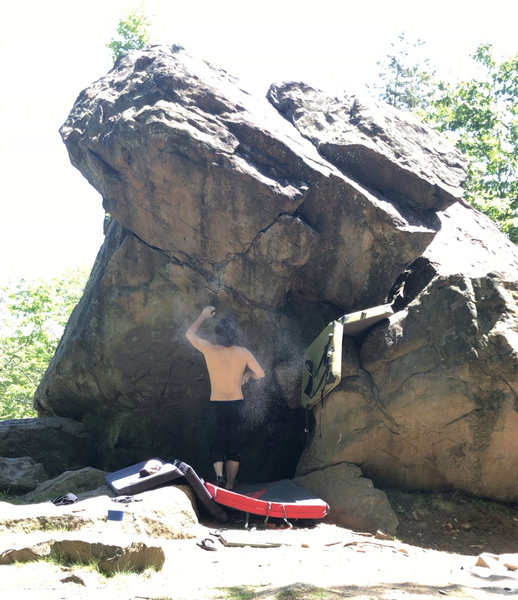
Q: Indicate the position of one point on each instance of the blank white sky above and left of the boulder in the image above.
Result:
(51, 218)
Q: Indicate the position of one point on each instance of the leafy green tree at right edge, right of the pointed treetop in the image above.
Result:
(481, 117)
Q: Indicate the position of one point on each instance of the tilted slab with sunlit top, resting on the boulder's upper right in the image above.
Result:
(365, 140)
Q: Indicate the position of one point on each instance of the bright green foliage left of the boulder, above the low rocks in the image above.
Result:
(32, 318)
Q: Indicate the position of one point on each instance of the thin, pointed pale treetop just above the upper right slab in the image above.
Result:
(405, 78)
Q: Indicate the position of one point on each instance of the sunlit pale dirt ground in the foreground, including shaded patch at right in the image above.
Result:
(435, 554)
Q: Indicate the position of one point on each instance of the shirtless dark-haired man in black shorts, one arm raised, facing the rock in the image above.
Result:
(230, 367)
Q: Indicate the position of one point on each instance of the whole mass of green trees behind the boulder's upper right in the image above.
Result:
(479, 116)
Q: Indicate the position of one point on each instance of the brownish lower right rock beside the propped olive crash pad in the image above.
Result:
(429, 400)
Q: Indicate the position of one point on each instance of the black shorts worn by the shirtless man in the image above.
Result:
(225, 429)
